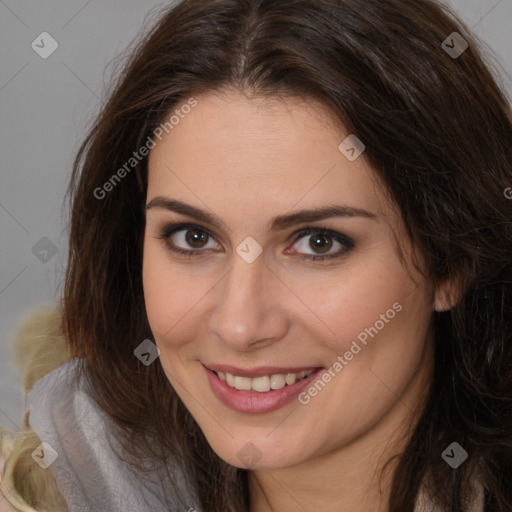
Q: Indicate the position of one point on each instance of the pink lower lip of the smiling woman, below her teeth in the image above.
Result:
(253, 402)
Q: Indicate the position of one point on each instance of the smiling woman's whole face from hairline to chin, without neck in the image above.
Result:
(247, 307)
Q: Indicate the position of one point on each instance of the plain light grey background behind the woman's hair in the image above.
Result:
(45, 107)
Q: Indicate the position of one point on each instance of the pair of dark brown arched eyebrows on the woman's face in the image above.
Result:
(276, 223)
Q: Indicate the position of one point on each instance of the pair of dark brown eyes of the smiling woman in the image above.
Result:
(315, 239)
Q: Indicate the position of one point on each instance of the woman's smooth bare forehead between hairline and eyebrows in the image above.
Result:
(276, 152)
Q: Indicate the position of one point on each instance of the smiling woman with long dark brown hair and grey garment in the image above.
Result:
(290, 268)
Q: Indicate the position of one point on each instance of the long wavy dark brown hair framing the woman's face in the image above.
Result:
(437, 130)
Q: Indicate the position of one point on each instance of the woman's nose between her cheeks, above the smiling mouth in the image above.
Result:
(249, 310)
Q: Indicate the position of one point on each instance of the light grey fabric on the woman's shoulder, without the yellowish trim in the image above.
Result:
(84, 453)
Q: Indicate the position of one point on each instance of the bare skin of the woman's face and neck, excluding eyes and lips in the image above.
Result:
(248, 160)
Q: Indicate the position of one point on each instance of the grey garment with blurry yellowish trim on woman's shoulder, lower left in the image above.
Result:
(71, 445)
